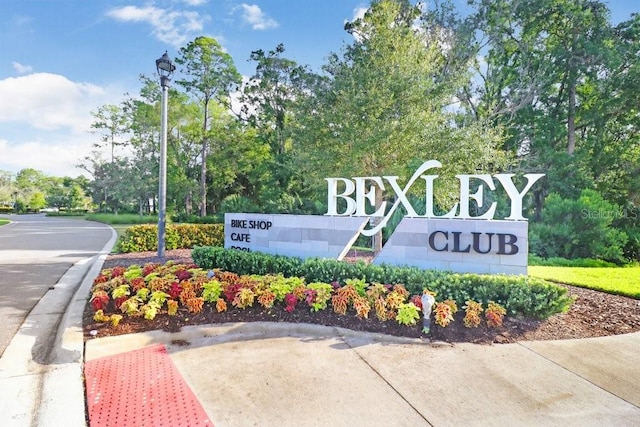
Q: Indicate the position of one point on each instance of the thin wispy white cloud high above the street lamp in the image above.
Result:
(173, 27)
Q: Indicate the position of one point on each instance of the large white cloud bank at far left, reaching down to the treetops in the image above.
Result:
(45, 121)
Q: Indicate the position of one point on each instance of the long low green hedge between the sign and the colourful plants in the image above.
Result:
(520, 295)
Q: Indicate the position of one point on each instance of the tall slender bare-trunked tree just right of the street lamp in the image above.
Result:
(209, 74)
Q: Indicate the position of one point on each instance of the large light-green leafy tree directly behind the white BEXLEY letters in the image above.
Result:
(386, 105)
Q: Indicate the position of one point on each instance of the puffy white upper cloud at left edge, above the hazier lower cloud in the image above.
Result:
(49, 101)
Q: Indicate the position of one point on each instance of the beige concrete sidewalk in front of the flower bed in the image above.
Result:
(289, 374)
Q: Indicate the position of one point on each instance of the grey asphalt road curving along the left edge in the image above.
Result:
(35, 251)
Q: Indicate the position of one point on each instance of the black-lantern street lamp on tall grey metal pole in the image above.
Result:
(165, 68)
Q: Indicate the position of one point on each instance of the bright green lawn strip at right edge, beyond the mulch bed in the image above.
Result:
(622, 281)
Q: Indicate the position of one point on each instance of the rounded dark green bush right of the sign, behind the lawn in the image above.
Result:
(579, 228)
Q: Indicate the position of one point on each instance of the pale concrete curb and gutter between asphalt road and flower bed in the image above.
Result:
(41, 381)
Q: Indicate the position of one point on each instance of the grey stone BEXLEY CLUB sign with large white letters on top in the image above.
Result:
(455, 241)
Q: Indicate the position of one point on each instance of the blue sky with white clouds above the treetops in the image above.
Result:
(62, 59)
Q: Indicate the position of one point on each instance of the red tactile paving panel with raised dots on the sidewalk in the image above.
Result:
(140, 388)
